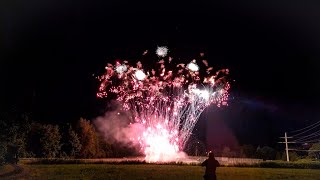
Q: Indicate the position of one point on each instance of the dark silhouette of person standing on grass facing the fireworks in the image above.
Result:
(211, 164)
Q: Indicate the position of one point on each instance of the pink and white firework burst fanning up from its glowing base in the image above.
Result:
(166, 100)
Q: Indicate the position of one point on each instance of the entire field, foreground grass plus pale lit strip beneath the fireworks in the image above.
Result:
(135, 168)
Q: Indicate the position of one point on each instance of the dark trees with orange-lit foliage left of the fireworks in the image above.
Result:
(21, 137)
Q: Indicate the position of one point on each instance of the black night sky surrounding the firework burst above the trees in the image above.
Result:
(50, 49)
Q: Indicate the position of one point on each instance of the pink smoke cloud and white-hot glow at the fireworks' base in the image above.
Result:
(116, 127)
